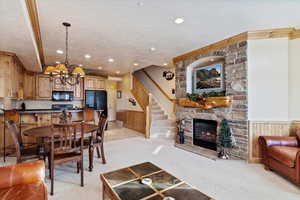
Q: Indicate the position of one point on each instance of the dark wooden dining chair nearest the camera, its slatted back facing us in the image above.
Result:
(66, 146)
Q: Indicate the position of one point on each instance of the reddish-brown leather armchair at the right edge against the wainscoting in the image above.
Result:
(282, 154)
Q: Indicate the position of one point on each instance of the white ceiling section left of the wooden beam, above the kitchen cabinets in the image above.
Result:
(16, 33)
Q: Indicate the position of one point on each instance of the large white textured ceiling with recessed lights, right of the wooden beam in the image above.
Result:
(123, 30)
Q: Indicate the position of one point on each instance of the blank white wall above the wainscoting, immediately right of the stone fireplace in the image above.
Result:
(268, 82)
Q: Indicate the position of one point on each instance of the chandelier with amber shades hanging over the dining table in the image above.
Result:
(68, 74)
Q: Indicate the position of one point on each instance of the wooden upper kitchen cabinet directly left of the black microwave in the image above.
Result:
(43, 87)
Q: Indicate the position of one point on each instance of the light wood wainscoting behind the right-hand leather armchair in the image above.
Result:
(264, 128)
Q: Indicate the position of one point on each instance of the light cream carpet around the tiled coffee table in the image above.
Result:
(221, 179)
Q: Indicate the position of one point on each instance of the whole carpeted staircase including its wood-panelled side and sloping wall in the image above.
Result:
(160, 120)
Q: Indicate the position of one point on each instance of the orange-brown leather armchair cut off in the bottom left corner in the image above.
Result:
(23, 182)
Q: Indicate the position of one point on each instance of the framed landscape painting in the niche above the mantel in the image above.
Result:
(208, 78)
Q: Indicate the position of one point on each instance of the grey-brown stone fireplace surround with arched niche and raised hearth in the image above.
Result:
(235, 81)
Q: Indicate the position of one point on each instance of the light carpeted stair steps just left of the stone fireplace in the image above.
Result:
(161, 126)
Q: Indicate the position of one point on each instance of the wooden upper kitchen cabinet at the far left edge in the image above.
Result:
(11, 76)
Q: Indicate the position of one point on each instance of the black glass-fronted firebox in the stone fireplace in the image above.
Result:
(205, 133)
